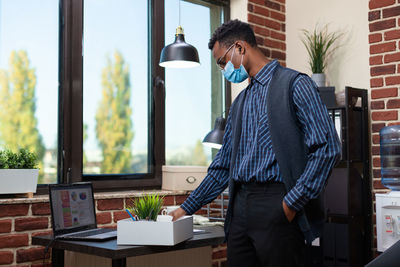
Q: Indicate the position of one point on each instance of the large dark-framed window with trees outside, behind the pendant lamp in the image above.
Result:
(97, 106)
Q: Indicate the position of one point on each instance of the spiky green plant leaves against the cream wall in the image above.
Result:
(319, 45)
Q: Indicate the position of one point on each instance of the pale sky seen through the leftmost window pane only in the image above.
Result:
(39, 37)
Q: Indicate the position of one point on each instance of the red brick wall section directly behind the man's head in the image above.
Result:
(267, 18)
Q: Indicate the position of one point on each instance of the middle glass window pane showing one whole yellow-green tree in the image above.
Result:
(115, 87)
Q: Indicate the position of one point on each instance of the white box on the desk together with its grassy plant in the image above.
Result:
(147, 227)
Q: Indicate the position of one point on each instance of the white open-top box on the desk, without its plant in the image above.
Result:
(160, 233)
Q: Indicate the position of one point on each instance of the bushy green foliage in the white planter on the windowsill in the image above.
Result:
(23, 159)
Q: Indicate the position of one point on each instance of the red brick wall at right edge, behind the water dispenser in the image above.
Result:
(384, 43)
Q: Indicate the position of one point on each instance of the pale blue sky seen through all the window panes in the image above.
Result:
(108, 26)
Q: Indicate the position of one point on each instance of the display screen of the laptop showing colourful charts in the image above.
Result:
(72, 208)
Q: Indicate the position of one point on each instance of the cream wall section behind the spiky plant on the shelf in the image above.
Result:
(350, 64)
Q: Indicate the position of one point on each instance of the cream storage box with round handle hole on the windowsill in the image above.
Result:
(182, 177)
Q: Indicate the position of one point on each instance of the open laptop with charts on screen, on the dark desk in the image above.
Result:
(73, 213)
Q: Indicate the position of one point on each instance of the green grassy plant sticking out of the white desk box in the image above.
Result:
(147, 207)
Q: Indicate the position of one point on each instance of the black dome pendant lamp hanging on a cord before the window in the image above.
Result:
(179, 54)
